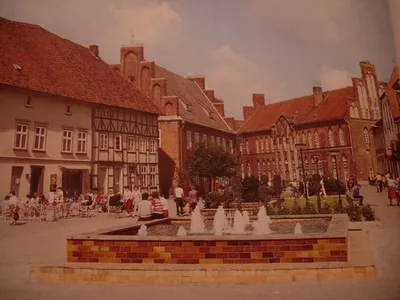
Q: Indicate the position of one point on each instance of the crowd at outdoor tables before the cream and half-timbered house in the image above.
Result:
(145, 206)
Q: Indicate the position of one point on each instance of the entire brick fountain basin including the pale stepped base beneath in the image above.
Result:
(111, 256)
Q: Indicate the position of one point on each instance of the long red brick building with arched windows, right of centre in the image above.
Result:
(327, 128)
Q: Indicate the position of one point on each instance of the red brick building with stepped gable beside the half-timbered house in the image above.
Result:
(190, 112)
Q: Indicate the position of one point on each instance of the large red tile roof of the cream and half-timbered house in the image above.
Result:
(57, 66)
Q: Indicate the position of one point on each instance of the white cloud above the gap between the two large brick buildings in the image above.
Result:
(235, 77)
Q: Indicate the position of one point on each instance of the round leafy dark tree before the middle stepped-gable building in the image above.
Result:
(211, 161)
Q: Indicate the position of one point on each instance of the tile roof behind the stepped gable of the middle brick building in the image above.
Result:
(191, 95)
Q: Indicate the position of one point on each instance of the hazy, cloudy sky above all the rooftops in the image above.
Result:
(277, 47)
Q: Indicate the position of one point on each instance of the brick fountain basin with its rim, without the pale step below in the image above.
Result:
(121, 245)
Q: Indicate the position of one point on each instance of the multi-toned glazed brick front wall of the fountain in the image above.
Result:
(211, 252)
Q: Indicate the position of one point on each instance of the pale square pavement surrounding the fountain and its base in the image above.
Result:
(44, 243)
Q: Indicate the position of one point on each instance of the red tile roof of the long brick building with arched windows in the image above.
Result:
(301, 110)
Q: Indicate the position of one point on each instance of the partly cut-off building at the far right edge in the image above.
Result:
(386, 130)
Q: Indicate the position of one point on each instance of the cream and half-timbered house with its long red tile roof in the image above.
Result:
(72, 123)
